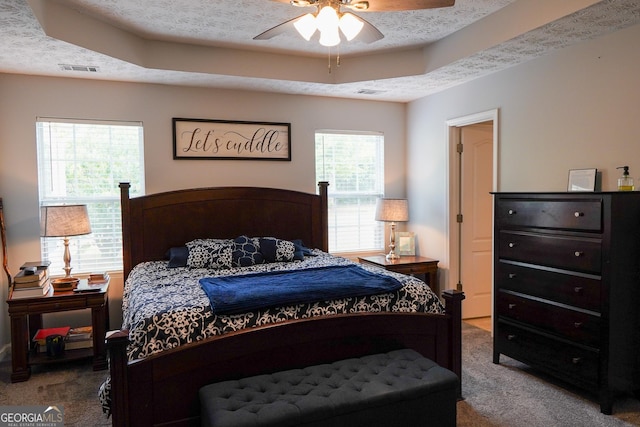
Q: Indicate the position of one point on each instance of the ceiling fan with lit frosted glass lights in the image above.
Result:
(329, 20)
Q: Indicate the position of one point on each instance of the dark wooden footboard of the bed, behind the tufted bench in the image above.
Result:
(162, 389)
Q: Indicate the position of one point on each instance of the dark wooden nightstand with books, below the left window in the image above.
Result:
(26, 319)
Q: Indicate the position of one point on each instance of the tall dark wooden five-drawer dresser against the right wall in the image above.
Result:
(567, 287)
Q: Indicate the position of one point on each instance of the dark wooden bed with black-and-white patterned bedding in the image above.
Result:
(160, 386)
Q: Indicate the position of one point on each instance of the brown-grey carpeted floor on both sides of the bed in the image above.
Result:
(505, 395)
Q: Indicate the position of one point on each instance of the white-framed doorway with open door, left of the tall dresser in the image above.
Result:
(473, 174)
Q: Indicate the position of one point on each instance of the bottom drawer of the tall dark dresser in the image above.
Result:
(573, 363)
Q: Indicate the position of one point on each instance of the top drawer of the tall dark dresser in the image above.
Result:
(582, 215)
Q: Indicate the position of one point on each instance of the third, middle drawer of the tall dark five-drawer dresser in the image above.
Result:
(579, 290)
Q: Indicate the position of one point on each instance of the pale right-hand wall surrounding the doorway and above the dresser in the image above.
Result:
(576, 108)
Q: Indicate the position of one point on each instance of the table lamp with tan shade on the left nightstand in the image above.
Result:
(64, 221)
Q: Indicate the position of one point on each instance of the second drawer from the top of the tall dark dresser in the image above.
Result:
(567, 252)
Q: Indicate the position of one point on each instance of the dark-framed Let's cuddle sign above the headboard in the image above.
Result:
(231, 140)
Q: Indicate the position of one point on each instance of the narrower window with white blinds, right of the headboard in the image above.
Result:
(353, 163)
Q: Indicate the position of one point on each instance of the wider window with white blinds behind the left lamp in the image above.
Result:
(82, 162)
